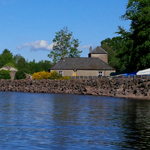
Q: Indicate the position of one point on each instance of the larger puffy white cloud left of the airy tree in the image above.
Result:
(38, 45)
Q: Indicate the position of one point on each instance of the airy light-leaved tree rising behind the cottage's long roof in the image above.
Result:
(64, 46)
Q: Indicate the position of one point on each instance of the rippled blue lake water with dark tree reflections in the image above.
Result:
(61, 121)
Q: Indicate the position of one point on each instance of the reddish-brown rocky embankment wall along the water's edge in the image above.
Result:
(135, 88)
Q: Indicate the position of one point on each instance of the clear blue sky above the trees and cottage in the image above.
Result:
(27, 27)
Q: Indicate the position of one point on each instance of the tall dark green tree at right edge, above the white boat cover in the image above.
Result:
(135, 52)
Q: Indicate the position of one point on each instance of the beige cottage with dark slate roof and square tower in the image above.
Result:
(96, 64)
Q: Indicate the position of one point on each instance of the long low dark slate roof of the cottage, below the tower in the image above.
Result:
(81, 63)
